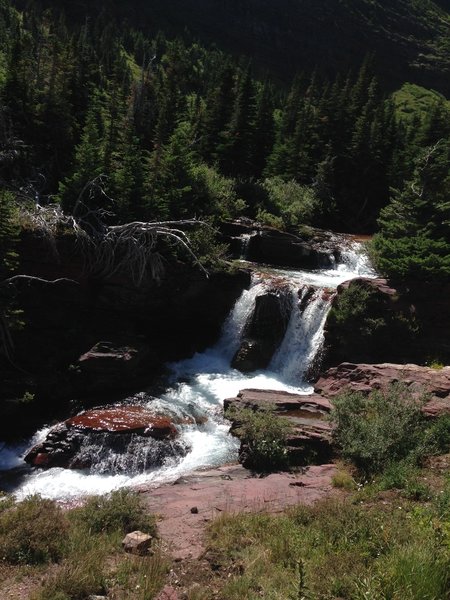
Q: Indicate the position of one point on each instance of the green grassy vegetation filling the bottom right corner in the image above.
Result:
(336, 549)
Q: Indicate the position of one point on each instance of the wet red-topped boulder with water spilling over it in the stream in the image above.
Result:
(120, 439)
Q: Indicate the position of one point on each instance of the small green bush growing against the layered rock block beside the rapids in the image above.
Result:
(263, 438)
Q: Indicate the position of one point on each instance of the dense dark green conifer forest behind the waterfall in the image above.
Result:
(98, 115)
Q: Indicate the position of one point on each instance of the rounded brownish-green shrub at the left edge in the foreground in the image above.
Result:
(32, 532)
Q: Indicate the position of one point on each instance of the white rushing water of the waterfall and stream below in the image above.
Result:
(198, 386)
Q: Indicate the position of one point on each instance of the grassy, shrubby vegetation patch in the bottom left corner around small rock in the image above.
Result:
(82, 548)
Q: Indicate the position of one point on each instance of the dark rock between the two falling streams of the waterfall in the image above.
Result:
(264, 331)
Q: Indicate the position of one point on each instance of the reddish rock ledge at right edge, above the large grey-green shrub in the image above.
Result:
(365, 378)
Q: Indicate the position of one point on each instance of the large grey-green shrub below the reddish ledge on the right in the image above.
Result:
(374, 431)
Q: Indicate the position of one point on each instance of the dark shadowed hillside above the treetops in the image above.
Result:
(407, 37)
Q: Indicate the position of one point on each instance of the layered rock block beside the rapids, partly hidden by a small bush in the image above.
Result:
(308, 438)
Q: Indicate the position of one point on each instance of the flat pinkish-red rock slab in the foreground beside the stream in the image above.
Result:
(228, 489)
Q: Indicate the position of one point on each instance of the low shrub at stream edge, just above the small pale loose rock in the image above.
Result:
(122, 511)
